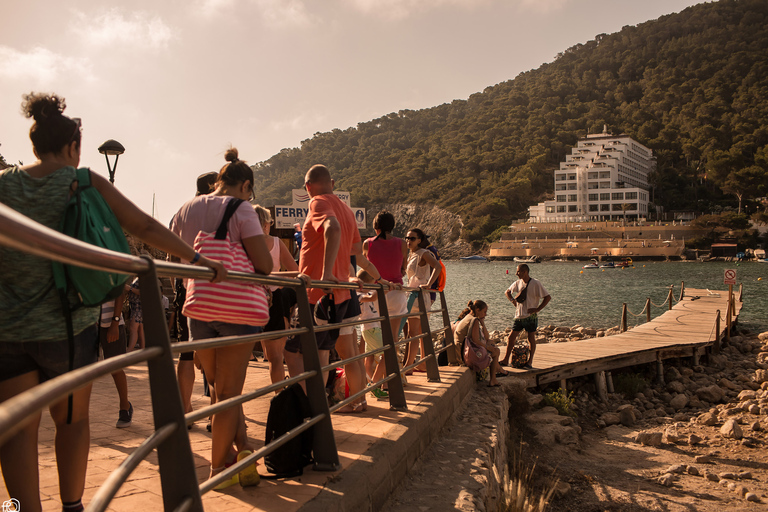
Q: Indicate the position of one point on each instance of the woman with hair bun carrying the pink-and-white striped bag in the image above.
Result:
(225, 367)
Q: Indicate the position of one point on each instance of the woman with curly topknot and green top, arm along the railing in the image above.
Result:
(33, 339)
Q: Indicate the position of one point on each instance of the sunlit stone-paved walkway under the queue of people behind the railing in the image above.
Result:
(376, 448)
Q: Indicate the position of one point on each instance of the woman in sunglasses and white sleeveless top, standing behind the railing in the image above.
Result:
(422, 270)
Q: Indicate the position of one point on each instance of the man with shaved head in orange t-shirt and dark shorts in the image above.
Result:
(329, 238)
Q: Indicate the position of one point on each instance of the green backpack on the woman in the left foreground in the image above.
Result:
(89, 219)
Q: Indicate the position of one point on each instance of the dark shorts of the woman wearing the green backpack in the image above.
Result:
(49, 358)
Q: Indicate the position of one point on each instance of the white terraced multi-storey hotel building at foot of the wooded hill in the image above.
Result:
(604, 178)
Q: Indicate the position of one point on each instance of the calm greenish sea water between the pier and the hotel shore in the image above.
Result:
(593, 298)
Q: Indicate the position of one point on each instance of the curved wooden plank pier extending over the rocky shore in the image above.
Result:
(692, 327)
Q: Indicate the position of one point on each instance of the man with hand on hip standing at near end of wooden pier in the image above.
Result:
(525, 294)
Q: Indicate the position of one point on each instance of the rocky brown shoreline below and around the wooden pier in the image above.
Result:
(696, 441)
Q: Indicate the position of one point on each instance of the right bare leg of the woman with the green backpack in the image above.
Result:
(72, 444)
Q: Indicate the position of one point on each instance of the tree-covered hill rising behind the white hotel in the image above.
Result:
(692, 86)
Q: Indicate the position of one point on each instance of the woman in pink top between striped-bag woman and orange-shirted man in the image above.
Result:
(283, 299)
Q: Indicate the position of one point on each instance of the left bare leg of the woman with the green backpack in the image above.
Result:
(18, 456)
